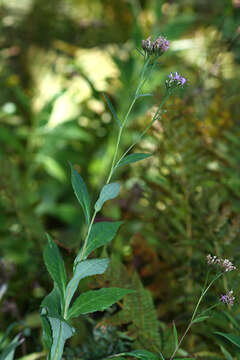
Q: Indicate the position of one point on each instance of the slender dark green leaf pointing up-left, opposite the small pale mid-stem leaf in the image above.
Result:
(81, 192)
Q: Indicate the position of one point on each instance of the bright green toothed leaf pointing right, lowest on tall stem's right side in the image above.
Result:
(97, 300)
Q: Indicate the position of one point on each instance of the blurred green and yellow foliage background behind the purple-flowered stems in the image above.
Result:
(56, 59)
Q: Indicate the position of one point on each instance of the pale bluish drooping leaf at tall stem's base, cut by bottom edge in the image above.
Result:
(61, 331)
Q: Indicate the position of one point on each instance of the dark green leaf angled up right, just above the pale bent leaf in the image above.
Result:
(102, 233)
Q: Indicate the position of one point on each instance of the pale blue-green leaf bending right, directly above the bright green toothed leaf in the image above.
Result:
(82, 270)
